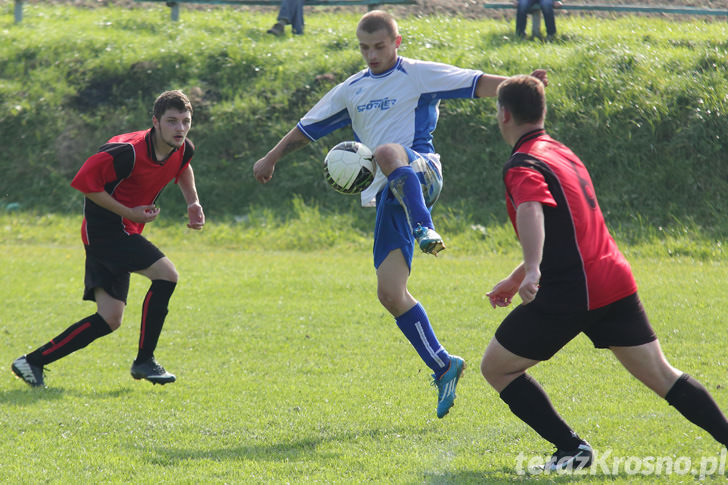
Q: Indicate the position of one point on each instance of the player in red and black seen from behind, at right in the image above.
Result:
(573, 279)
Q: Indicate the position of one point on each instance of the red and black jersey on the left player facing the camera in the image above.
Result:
(127, 169)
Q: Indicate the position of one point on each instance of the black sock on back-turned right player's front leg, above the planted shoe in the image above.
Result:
(529, 402)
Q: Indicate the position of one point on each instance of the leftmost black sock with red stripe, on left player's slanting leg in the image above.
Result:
(75, 337)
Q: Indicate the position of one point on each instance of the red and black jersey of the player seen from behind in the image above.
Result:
(582, 267)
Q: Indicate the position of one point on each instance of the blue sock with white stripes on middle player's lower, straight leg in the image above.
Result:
(415, 325)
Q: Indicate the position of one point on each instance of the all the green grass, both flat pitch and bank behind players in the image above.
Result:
(289, 370)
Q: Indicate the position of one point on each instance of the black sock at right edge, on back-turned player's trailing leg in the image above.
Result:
(694, 402)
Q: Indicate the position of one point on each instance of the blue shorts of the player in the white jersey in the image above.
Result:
(391, 229)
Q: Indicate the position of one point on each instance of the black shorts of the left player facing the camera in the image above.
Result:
(110, 263)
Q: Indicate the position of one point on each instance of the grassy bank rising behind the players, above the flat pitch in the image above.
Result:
(642, 101)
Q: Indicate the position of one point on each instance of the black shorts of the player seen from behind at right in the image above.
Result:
(532, 333)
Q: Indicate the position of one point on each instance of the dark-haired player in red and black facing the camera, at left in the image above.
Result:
(122, 183)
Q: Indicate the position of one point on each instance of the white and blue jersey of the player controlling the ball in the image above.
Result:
(400, 106)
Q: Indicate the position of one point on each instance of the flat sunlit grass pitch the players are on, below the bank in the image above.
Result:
(289, 371)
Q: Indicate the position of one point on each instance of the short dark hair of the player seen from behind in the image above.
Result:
(524, 97)
